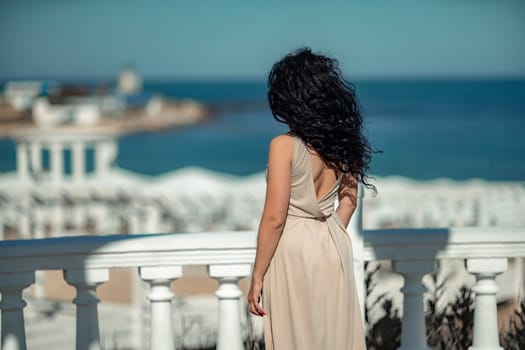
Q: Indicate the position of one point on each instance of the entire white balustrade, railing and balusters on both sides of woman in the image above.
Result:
(228, 256)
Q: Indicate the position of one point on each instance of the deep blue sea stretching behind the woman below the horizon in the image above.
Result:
(426, 130)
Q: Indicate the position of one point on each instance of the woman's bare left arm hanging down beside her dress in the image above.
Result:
(274, 214)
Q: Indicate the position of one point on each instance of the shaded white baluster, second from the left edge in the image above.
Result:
(85, 282)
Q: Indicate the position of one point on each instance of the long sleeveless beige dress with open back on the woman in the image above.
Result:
(309, 290)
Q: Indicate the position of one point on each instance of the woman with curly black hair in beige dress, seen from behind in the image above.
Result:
(304, 255)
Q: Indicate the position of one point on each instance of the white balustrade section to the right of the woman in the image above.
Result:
(486, 251)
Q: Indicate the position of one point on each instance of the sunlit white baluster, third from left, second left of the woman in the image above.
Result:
(160, 297)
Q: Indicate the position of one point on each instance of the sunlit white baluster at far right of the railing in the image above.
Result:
(485, 307)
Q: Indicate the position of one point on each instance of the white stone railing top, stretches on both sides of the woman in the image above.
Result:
(238, 247)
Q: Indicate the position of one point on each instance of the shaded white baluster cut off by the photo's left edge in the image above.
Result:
(12, 306)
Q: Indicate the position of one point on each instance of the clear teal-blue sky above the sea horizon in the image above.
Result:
(187, 40)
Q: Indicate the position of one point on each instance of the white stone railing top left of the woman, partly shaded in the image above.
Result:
(115, 251)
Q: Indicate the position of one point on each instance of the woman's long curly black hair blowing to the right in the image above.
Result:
(307, 92)
